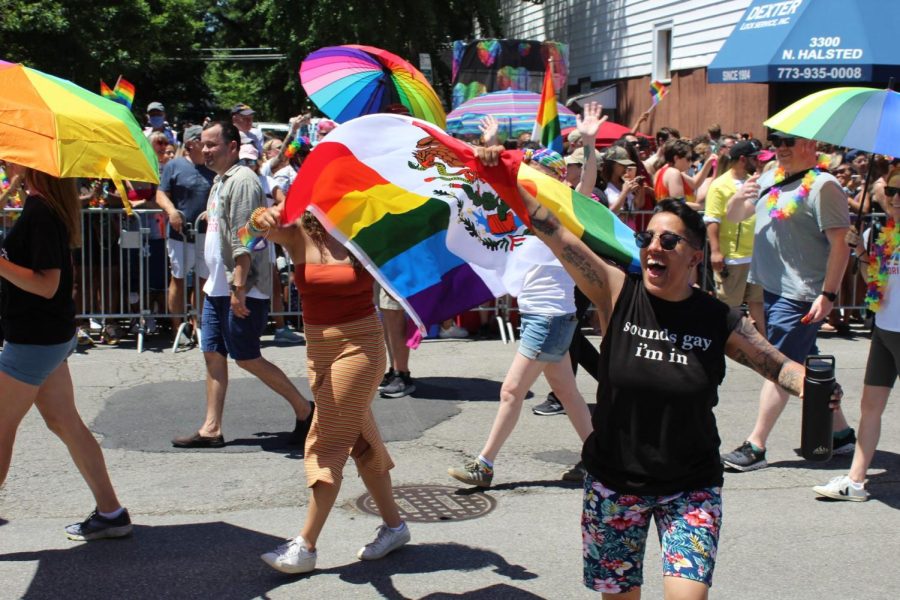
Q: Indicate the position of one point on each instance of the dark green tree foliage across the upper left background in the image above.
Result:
(156, 44)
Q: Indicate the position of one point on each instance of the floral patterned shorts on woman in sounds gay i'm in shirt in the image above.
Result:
(614, 531)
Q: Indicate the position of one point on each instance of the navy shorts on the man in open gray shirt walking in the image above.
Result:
(226, 334)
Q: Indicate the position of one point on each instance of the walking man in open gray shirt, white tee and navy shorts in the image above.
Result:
(236, 308)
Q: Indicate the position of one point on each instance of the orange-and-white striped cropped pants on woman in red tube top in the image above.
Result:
(346, 363)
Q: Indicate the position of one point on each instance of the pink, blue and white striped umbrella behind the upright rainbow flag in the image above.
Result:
(515, 111)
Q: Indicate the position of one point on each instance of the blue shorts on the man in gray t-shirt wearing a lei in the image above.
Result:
(784, 329)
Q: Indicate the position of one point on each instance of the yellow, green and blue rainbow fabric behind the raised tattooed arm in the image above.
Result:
(595, 224)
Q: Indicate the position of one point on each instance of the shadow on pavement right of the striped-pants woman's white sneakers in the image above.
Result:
(433, 558)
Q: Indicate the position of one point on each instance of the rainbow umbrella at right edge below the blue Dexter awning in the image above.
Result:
(854, 117)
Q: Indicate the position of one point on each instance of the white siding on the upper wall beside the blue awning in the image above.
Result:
(613, 39)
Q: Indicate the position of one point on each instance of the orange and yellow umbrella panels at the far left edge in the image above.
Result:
(57, 127)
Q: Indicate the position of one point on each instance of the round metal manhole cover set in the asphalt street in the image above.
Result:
(434, 503)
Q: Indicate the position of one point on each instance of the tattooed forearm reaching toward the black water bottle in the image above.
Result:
(748, 347)
